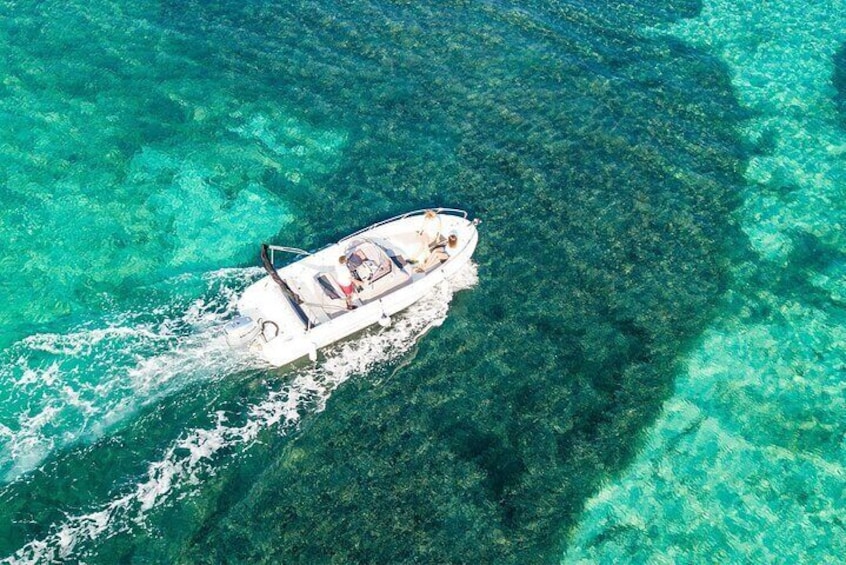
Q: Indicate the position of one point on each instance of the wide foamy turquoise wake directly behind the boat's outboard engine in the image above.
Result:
(64, 388)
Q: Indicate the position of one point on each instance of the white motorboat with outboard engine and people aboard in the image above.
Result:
(301, 307)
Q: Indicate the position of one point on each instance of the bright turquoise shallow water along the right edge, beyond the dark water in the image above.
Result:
(746, 462)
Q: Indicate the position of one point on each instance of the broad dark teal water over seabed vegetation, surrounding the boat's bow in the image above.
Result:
(605, 167)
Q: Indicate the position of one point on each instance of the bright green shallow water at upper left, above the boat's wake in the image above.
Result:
(130, 157)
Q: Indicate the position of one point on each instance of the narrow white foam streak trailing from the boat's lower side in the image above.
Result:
(192, 457)
